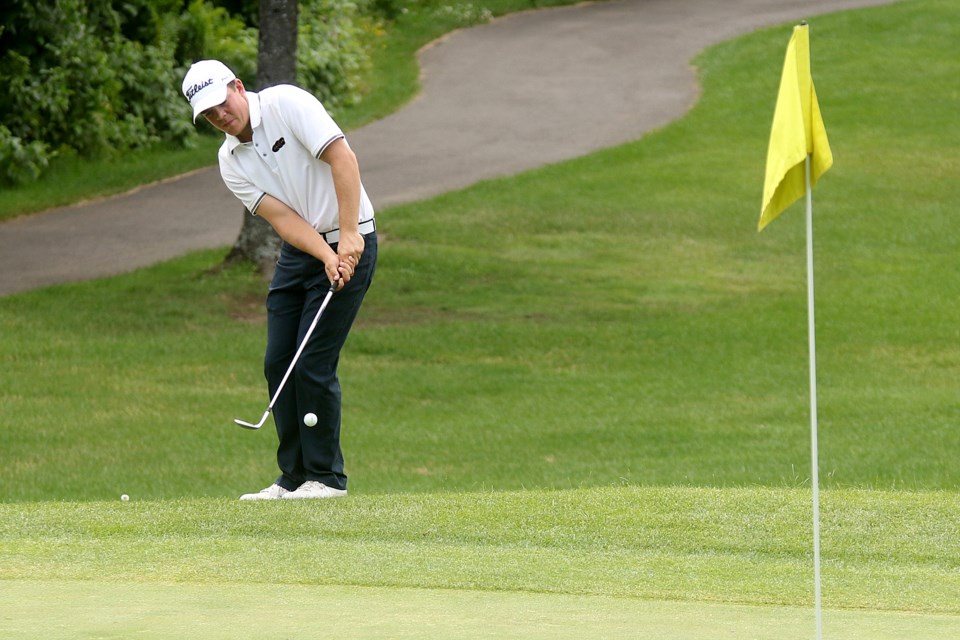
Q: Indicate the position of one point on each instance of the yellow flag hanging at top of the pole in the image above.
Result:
(797, 132)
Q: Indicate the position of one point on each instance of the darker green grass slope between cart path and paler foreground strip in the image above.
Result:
(657, 340)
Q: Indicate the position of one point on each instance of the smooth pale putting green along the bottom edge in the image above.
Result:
(101, 610)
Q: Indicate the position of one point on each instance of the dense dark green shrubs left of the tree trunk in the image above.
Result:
(86, 77)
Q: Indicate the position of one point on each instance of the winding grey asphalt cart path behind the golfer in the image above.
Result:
(522, 91)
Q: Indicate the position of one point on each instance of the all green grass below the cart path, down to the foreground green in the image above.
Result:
(575, 403)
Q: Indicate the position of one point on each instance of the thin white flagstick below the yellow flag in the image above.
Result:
(815, 472)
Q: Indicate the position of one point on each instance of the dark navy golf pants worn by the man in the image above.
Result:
(298, 288)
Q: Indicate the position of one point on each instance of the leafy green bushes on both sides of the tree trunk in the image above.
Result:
(97, 78)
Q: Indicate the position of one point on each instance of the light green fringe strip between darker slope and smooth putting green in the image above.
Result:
(883, 550)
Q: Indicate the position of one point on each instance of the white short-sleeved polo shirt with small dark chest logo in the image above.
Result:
(290, 131)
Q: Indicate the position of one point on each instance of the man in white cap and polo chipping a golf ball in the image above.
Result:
(288, 162)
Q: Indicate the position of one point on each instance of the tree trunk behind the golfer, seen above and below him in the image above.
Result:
(276, 64)
